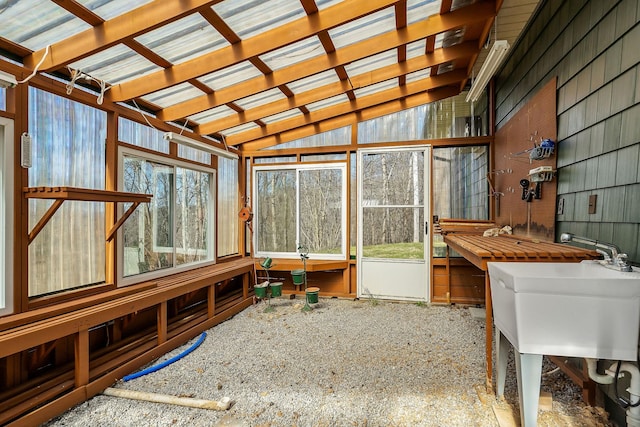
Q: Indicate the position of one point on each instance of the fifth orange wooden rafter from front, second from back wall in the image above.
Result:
(362, 103)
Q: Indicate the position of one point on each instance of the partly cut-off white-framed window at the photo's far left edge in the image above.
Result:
(6, 216)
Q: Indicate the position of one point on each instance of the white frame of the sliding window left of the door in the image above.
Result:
(298, 167)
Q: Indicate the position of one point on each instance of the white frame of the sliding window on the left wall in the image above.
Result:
(211, 215)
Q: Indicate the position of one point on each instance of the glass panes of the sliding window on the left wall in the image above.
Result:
(174, 229)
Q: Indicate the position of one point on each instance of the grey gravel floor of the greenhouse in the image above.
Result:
(345, 363)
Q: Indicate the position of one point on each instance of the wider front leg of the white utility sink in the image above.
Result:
(529, 370)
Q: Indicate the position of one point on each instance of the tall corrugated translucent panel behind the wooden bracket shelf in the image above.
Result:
(68, 150)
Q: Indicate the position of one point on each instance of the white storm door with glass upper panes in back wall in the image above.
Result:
(393, 261)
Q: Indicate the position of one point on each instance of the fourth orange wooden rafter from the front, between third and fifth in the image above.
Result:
(452, 53)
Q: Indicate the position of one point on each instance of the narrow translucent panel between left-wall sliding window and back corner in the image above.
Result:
(228, 206)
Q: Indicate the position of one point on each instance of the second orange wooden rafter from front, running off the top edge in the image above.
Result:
(230, 55)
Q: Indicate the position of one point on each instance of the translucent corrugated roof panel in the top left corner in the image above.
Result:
(36, 24)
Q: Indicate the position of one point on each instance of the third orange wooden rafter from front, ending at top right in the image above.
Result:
(430, 26)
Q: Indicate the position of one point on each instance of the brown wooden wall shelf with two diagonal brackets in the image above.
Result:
(60, 194)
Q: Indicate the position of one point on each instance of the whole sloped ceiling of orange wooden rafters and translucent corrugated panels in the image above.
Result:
(258, 73)
